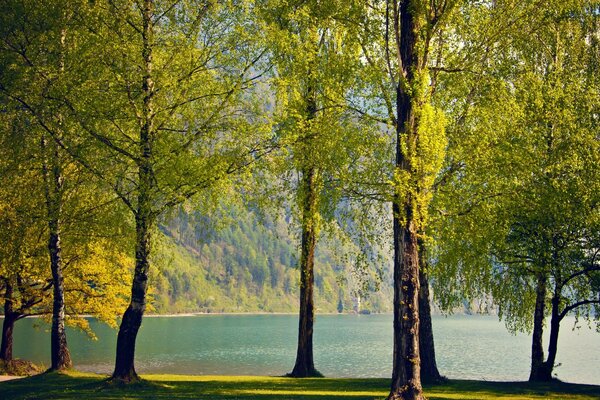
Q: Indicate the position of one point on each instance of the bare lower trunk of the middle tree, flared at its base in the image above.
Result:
(304, 366)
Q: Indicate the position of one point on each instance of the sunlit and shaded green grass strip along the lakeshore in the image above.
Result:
(82, 386)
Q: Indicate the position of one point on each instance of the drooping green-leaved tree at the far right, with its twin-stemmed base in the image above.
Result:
(527, 228)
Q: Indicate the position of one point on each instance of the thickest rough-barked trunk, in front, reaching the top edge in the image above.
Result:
(406, 375)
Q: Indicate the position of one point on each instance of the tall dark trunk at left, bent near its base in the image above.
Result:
(144, 217)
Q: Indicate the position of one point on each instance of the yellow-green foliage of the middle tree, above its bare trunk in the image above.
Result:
(316, 73)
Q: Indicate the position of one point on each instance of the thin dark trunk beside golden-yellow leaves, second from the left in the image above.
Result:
(60, 357)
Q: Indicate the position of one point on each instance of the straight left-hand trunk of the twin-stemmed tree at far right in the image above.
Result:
(537, 348)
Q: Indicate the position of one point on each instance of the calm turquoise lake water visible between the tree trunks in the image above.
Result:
(467, 347)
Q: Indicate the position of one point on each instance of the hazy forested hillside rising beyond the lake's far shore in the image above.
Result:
(249, 264)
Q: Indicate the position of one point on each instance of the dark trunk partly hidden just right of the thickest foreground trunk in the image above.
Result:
(429, 370)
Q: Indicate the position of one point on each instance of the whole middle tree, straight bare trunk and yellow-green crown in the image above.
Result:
(314, 56)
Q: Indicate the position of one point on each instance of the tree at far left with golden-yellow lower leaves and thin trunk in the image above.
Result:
(38, 54)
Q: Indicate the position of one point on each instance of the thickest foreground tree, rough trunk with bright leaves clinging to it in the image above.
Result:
(402, 33)
